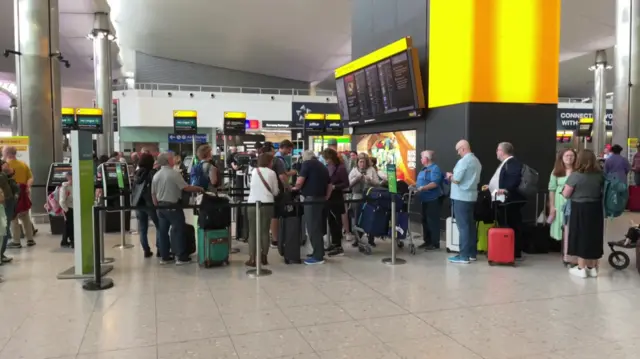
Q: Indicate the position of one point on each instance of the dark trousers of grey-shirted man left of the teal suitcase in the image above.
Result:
(172, 219)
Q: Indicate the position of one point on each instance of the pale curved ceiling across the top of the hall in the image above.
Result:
(297, 39)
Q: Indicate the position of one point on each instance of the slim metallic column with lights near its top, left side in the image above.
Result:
(102, 38)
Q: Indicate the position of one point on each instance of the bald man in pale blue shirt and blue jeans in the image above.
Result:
(464, 193)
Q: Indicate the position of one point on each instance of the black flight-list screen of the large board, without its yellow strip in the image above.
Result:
(380, 89)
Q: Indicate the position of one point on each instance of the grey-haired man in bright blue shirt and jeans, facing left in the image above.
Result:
(429, 184)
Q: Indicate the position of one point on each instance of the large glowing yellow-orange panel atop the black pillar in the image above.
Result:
(498, 51)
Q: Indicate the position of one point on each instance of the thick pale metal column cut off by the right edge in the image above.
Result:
(626, 94)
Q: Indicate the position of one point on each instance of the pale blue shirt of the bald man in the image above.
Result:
(467, 175)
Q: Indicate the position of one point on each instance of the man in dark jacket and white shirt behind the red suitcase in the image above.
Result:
(504, 184)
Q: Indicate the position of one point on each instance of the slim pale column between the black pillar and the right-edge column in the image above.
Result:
(599, 101)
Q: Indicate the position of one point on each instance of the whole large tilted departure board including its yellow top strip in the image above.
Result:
(383, 85)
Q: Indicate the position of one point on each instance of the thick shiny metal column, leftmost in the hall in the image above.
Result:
(36, 40)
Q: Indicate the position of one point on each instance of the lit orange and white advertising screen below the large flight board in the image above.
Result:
(397, 148)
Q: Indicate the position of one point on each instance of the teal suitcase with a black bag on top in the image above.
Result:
(213, 247)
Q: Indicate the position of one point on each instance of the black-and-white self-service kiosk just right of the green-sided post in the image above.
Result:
(115, 181)
